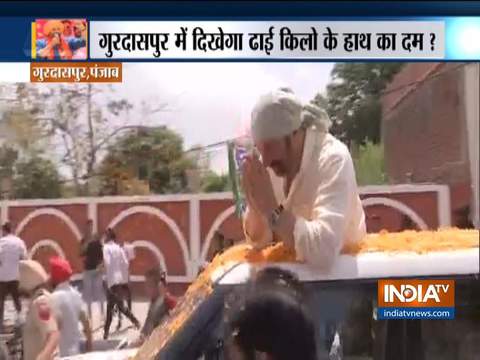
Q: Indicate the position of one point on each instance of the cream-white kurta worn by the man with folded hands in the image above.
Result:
(324, 199)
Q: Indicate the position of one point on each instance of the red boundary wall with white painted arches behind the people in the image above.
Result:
(176, 232)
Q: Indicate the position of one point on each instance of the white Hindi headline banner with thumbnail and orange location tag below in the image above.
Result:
(83, 50)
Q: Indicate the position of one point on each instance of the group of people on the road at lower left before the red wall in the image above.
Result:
(51, 326)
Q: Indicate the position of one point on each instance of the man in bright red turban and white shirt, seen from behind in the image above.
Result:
(69, 309)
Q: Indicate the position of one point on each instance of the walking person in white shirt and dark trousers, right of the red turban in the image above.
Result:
(115, 262)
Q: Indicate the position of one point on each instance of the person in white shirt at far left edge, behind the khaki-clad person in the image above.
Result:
(12, 250)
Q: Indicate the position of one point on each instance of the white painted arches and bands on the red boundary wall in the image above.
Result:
(193, 253)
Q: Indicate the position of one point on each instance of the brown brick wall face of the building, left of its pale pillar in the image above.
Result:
(424, 132)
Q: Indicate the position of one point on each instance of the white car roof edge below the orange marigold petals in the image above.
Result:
(368, 266)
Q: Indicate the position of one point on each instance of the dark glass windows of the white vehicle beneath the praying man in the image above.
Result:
(344, 313)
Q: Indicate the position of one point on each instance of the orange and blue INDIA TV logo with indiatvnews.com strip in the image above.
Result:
(416, 299)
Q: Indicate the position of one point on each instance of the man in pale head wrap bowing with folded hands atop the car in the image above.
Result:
(300, 187)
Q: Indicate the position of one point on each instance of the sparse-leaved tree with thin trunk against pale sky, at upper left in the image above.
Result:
(74, 120)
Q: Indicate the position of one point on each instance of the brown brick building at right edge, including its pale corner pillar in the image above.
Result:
(430, 131)
